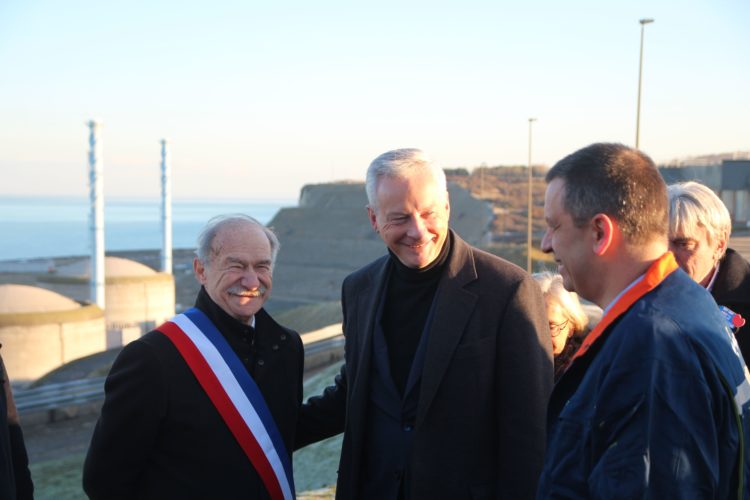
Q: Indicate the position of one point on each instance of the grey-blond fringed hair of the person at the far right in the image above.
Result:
(693, 205)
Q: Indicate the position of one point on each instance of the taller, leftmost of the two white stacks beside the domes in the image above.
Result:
(96, 216)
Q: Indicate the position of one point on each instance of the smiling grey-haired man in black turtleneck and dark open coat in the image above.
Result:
(448, 357)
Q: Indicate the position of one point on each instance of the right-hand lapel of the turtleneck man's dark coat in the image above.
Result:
(452, 312)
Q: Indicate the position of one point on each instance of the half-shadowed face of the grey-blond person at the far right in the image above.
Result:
(695, 254)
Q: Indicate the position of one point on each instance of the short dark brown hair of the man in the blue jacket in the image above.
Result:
(618, 181)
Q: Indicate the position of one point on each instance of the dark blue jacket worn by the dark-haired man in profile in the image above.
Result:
(649, 411)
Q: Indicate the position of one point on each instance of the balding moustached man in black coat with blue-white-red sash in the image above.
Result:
(206, 405)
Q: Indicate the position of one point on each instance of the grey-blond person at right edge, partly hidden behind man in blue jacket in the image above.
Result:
(699, 231)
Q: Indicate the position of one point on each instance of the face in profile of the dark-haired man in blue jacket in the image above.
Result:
(571, 245)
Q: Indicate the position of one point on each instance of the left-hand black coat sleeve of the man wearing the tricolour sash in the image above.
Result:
(124, 436)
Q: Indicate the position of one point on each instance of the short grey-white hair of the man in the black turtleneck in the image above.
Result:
(400, 163)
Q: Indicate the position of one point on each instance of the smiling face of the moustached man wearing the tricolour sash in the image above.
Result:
(238, 276)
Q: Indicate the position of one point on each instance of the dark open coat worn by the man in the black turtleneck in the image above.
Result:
(487, 376)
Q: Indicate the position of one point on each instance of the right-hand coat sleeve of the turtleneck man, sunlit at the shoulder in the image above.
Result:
(524, 381)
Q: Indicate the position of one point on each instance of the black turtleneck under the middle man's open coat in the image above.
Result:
(408, 300)
